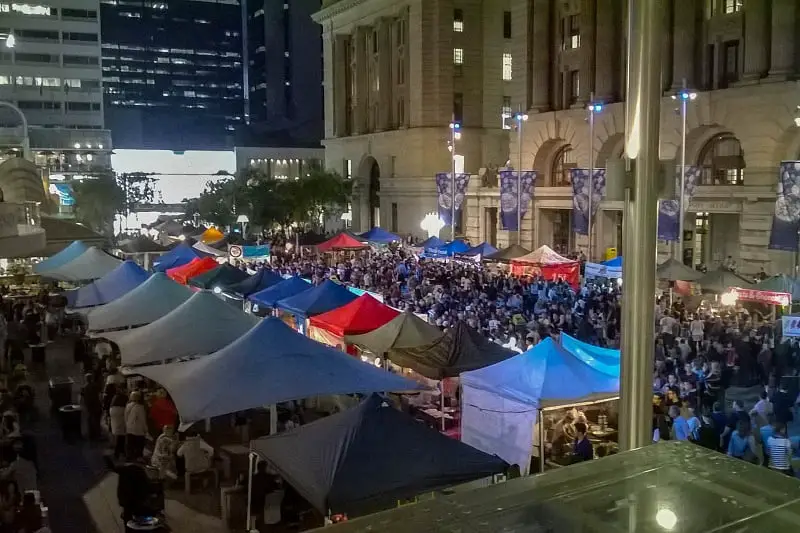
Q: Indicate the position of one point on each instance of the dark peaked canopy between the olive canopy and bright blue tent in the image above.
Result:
(459, 350)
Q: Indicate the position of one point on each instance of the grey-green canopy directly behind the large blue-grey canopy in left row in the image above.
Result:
(213, 324)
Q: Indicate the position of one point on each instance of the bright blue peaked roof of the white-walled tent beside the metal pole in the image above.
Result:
(543, 376)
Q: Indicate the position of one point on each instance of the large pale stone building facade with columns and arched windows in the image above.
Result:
(396, 74)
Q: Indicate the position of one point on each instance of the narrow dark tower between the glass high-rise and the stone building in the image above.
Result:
(284, 74)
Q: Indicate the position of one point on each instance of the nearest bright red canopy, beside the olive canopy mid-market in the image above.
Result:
(362, 315)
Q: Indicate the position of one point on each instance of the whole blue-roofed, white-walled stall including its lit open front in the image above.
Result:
(503, 403)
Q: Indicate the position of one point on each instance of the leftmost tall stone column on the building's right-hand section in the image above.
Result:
(541, 50)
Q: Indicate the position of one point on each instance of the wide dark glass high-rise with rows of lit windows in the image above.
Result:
(173, 73)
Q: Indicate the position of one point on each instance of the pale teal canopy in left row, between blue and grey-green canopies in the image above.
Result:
(146, 303)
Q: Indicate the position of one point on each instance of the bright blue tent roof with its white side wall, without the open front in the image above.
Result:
(501, 403)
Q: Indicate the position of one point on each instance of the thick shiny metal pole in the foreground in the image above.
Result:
(643, 111)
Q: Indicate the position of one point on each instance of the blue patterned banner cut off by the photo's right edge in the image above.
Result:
(786, 220)
